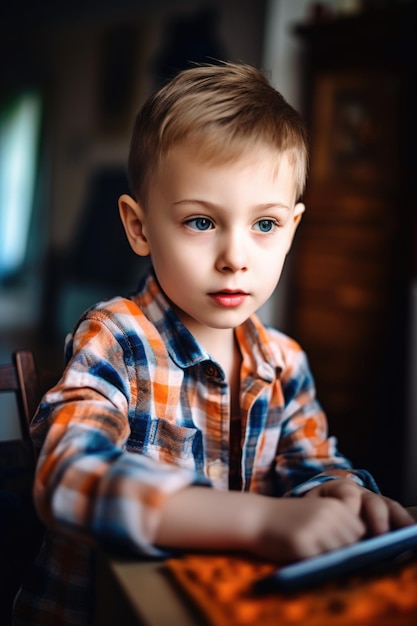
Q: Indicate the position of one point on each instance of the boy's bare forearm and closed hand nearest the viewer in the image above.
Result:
(274, 529)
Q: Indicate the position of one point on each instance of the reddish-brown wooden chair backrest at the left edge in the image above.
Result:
(21, 377)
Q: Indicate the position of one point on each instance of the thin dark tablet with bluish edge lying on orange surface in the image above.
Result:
(310, 572)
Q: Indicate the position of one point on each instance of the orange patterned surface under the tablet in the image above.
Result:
(220, 586)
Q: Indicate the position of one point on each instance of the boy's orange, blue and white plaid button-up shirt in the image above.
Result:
(142, 411)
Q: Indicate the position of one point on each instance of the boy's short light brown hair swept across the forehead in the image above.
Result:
(221, 109)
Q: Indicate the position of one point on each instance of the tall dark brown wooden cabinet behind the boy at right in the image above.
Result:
(354, 253)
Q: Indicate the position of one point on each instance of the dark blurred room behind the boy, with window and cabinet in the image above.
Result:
(72, 77)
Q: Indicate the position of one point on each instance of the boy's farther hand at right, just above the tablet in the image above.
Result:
(379, 513)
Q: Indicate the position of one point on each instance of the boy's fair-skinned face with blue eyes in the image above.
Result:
(218, 234)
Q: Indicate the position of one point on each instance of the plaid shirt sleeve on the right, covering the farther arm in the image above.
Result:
(307, 456)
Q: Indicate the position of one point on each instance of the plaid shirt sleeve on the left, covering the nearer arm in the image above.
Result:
(87, 484)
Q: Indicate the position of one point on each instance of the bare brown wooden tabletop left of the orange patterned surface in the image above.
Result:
(139, 593)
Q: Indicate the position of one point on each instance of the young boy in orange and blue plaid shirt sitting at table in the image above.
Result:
(180, 388)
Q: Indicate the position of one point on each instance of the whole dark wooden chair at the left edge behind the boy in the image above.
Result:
(21, 531)
